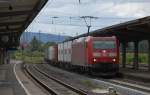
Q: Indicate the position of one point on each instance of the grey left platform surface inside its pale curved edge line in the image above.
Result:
(8, 82)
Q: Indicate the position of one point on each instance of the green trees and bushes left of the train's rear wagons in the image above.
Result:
(34, 53)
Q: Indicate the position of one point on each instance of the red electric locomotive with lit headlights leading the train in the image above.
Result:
(96, 53)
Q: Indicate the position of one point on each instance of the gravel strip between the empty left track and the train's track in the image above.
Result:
(74, 79)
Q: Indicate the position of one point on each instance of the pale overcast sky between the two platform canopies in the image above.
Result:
(109, 12)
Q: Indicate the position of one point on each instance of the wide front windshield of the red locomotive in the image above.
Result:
(104, 44)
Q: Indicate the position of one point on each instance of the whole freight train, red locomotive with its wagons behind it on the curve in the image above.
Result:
(90, 54)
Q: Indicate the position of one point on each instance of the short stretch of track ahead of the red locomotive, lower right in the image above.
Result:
(126, 87)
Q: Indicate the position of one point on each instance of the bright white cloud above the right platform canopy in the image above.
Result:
(131, 10)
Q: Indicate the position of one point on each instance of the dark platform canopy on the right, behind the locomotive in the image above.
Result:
(135, 30)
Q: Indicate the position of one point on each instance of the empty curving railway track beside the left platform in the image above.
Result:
(51, 84)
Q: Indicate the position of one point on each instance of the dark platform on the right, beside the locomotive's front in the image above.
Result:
(137, 75)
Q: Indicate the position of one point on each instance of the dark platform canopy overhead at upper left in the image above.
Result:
(15, 17)
